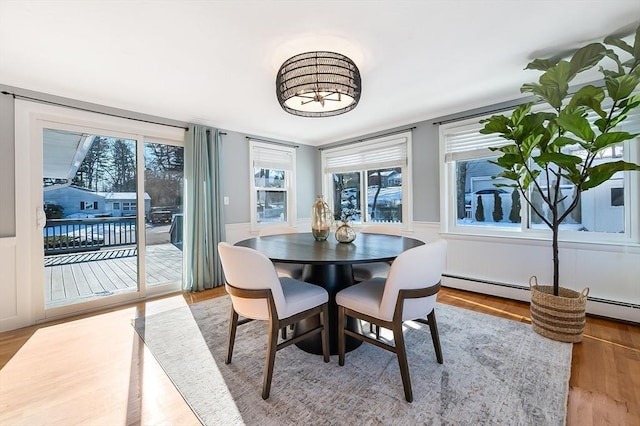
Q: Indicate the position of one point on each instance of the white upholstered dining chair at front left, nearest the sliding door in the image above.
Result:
(257, 293)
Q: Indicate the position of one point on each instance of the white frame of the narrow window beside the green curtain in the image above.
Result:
(255, 147)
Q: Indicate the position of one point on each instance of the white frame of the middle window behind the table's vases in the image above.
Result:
(368, 146)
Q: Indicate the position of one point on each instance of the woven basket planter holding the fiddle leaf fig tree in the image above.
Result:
(559, 317)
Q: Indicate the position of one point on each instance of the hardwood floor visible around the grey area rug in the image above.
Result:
(94, 369)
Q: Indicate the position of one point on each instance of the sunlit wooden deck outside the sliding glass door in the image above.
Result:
(80, 277)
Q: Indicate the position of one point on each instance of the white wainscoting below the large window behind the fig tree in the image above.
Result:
(502, 267)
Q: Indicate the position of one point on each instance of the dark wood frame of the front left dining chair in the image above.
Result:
(275, 325)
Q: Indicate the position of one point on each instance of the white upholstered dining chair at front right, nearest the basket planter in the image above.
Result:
(409, 293)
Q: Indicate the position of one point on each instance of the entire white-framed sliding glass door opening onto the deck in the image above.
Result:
(106, 197)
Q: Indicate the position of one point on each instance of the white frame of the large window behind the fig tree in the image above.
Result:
(448, 200)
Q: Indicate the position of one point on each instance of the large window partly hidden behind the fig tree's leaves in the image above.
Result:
(472, 203)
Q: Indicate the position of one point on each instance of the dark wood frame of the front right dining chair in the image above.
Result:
(395, 325)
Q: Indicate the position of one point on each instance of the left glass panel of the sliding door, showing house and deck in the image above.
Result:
(90, 198)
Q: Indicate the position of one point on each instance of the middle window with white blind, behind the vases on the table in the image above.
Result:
(372, 177)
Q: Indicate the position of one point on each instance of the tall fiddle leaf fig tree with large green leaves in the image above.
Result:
(559, 145)
